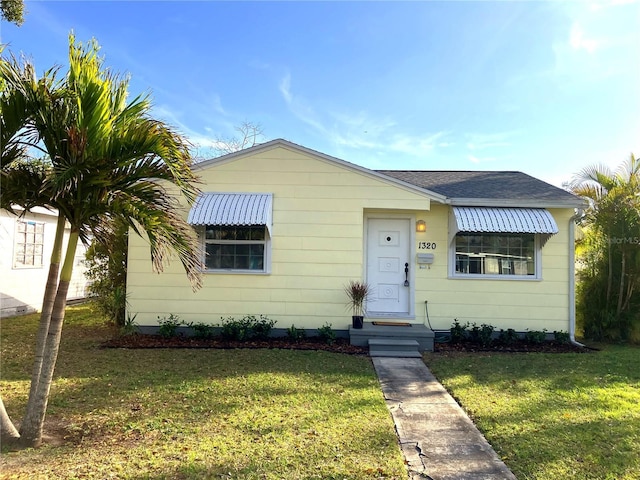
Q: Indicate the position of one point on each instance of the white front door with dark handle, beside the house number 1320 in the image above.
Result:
(388, 266)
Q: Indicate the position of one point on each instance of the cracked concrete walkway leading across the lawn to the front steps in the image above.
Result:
(438, 439)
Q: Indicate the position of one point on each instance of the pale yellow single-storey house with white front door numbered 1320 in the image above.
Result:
(285, 228)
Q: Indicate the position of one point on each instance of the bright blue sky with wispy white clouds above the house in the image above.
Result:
(541, 87)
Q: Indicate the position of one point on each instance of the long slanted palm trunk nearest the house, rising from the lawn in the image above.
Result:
(33, 422)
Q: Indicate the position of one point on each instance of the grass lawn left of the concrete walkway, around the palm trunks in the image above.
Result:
(197, 413)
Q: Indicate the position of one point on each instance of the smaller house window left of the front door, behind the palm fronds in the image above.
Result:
(235, 247)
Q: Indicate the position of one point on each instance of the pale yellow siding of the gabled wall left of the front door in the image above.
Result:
(317, 245)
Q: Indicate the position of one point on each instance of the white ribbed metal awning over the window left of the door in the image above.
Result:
(232, 209)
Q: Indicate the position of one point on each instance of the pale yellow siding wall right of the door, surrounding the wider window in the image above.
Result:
(518, 304)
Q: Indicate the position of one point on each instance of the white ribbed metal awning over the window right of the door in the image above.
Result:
(504, 220)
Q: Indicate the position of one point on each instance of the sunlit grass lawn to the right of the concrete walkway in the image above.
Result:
(553, 416)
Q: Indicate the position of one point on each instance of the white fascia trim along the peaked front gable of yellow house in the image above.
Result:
(324, 157)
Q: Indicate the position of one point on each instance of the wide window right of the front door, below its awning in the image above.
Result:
(496, 254)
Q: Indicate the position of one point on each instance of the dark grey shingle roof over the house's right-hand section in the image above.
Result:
(494, 185)
